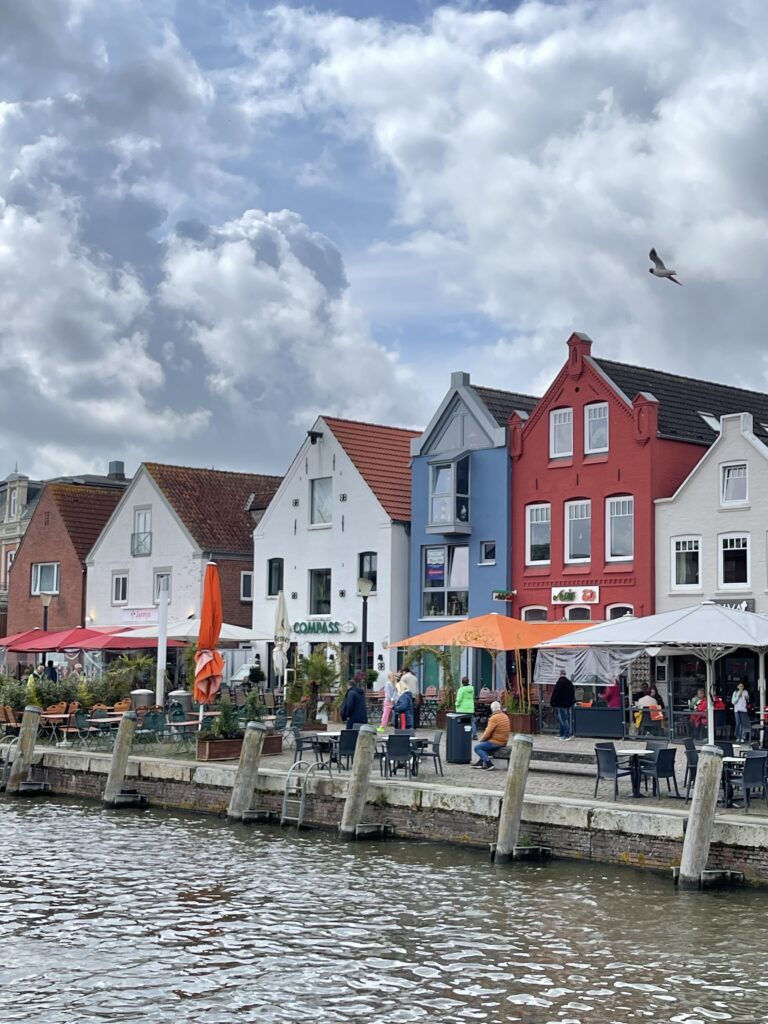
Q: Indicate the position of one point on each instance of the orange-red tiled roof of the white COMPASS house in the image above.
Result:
(382, 456)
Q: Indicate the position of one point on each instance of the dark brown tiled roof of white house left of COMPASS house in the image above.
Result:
(215, 505)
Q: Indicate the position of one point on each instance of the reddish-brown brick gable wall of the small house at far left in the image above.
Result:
(45, 543)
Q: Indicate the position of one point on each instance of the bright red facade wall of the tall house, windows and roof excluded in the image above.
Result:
(638, 463)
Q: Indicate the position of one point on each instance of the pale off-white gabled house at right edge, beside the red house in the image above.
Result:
(712, 535)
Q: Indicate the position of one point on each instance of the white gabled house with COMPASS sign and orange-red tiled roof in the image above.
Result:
(343, 513)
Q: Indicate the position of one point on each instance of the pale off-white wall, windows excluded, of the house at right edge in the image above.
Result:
(696, 509)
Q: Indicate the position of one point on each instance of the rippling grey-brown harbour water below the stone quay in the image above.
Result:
(156, 917)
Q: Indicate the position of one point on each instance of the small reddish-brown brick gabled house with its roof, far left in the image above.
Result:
(51, 559)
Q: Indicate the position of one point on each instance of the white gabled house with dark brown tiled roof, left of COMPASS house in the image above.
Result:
(169, 523)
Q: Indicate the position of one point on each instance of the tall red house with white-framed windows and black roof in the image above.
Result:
(605, 443)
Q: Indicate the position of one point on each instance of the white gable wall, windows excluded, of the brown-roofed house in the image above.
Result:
(172, 548)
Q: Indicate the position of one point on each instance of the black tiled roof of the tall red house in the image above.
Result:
(682, 399)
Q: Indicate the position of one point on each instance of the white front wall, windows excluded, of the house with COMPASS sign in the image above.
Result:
(360, 524)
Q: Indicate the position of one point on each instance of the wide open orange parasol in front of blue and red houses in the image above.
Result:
(494, 632)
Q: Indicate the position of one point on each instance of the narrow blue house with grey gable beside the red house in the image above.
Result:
(461, 518)
